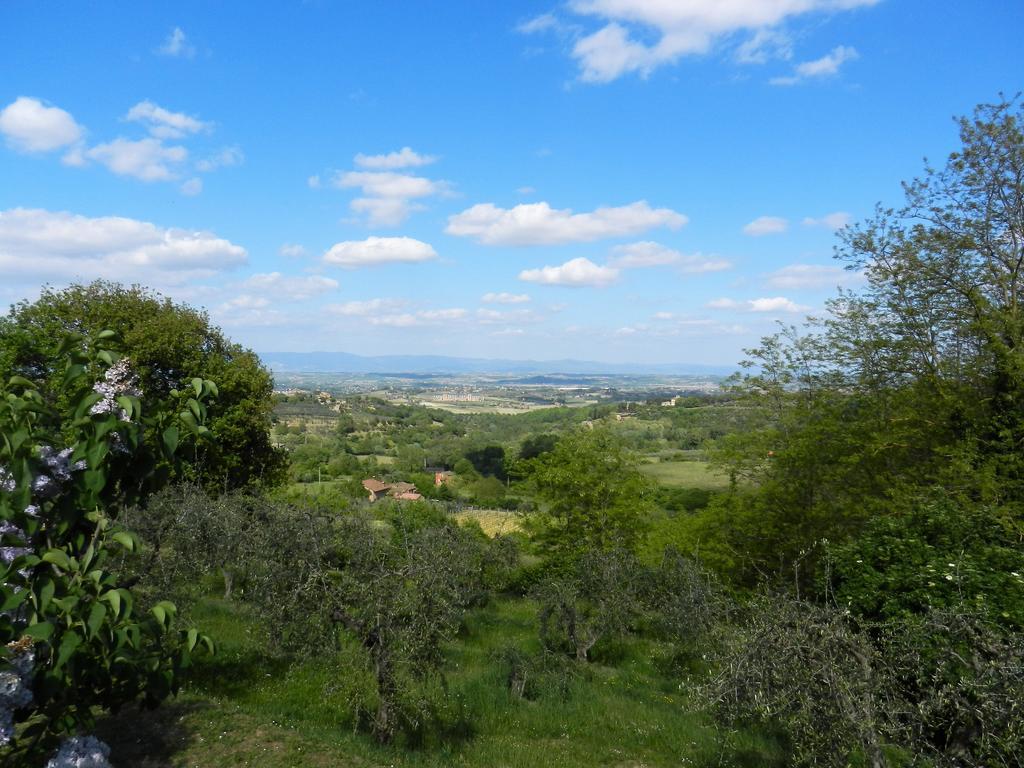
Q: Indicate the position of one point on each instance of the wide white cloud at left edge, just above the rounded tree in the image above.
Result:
(42, 245)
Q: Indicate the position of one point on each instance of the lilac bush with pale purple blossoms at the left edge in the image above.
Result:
(71, 639)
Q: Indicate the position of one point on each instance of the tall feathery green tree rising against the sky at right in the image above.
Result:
(916, 382)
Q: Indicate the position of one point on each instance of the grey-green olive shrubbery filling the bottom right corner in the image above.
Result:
(944, 689)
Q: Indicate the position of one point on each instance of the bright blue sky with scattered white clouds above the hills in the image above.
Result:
(622, 181)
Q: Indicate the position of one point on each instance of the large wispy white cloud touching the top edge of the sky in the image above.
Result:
(681, 29)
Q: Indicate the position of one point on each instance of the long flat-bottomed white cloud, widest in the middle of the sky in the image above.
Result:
(539, 224)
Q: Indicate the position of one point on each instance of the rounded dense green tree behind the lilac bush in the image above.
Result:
(170, 346)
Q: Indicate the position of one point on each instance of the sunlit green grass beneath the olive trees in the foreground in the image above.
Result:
(245, 708)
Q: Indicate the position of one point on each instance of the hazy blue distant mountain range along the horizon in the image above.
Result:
(330, 363)
